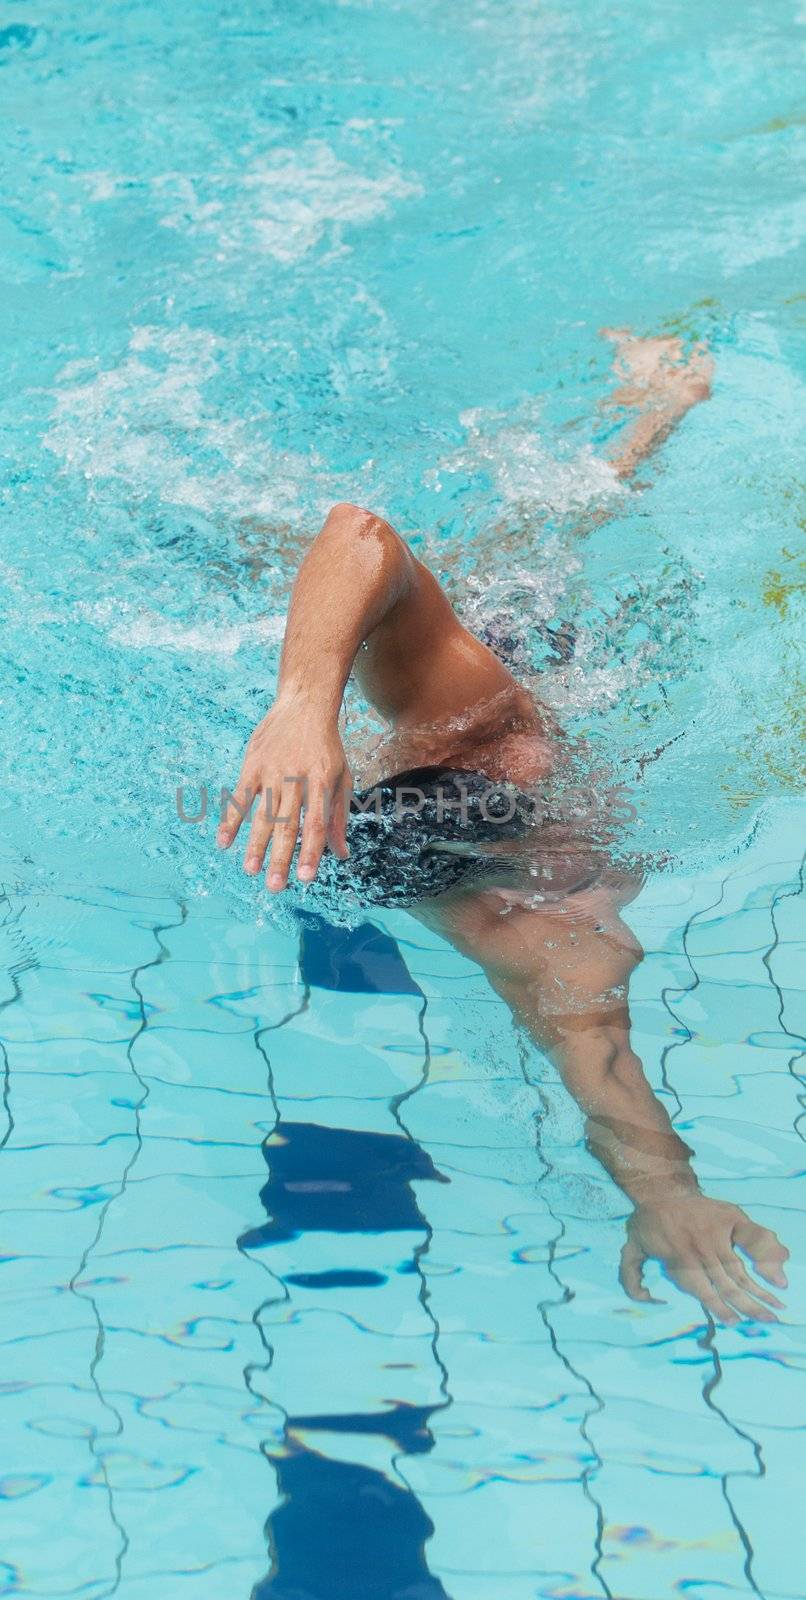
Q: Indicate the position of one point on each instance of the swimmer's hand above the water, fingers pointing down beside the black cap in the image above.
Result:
(297, 775)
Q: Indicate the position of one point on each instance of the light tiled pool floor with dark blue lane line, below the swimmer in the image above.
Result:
(313, 1292)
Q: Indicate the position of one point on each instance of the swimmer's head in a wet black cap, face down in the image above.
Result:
(428, 831)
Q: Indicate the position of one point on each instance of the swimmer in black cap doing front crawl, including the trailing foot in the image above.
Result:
(537, 902)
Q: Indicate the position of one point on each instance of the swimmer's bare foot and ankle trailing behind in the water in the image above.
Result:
(660, 383)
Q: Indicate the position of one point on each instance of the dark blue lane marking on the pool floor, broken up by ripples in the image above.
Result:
(346, 1530)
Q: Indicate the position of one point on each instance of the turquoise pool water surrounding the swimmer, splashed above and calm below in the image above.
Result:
(309, 1292)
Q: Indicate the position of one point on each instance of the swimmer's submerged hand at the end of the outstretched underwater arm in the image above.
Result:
(698, 1244)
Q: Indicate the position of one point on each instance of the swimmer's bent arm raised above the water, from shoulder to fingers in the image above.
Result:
(359, 586)
